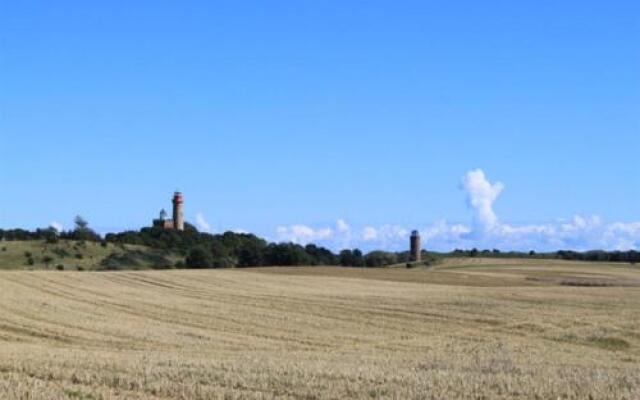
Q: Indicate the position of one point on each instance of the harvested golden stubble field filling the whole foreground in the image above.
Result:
(491, 330)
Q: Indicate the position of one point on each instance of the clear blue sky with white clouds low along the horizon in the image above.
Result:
(494, 124)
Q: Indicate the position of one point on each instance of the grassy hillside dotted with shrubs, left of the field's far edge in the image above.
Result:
(76, 255)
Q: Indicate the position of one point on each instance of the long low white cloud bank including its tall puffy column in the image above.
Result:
(486, 231)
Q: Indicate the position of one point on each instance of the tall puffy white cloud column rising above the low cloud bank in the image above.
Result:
(480, 196)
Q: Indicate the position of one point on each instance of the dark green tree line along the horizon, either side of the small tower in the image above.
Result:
(230, 249)
